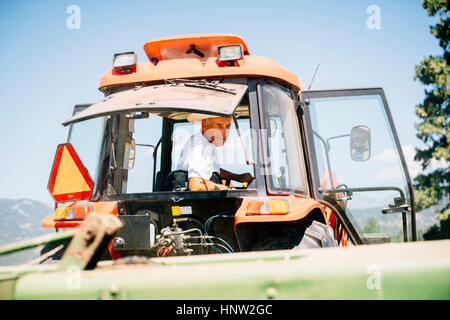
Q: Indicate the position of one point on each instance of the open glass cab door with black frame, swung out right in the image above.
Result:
(357, 167)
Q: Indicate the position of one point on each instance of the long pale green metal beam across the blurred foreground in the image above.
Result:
(390, 271)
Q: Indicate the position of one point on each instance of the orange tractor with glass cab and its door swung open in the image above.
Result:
(326, 166)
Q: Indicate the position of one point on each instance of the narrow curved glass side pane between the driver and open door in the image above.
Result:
(285, 166)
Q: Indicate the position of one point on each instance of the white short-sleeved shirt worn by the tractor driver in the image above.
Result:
(199, 157)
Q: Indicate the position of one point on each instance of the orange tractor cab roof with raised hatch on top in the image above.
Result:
(169, 59)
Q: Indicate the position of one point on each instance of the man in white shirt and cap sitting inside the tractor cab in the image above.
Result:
(199, 157)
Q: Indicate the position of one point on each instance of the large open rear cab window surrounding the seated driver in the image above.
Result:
(147, 148)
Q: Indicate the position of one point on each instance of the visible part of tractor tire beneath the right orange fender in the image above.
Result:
(317, 235)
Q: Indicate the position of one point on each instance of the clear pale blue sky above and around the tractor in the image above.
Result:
(47, 68)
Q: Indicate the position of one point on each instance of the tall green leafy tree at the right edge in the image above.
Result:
(433, 184)
